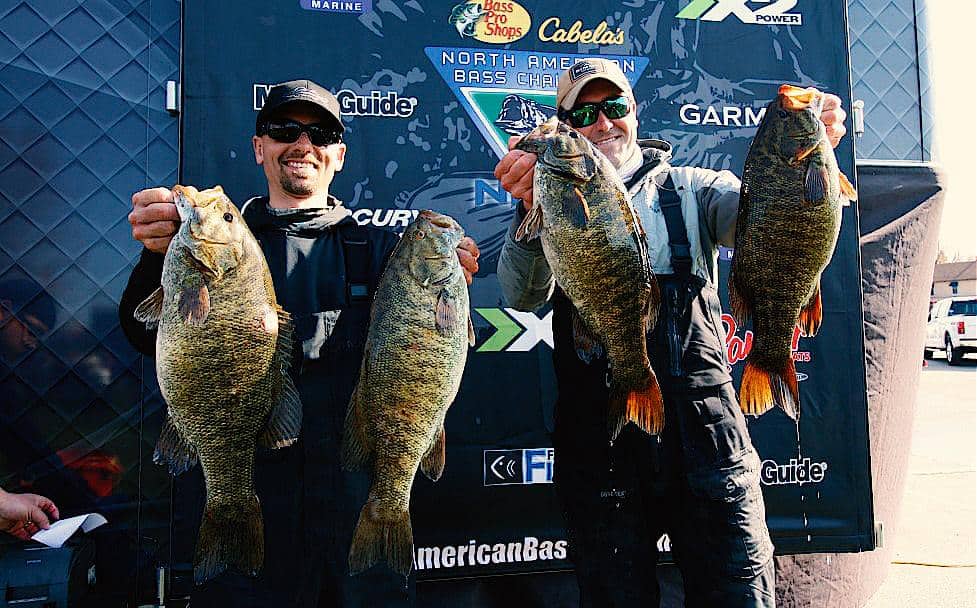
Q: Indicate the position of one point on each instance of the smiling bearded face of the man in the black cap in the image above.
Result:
(298, 171)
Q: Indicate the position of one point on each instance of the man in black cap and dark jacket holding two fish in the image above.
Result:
(325, 269)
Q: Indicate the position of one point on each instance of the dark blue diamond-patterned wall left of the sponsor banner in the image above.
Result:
(82, 126)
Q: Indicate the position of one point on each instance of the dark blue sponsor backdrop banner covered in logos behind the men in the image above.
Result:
(431, 92)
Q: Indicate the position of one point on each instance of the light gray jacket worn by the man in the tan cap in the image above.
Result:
(710, 200)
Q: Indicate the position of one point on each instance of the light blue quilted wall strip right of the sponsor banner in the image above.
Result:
(890, 73)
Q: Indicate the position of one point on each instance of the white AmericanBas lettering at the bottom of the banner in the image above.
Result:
(529, 549)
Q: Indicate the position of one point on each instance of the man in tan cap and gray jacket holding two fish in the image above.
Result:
(699, 480)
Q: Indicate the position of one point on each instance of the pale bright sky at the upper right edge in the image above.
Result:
(953, 57)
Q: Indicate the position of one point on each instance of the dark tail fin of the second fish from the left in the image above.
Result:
(378, 537)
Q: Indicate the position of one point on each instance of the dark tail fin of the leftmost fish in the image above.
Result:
(230, 535)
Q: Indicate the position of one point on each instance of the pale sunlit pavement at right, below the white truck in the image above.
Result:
(934, 541)
